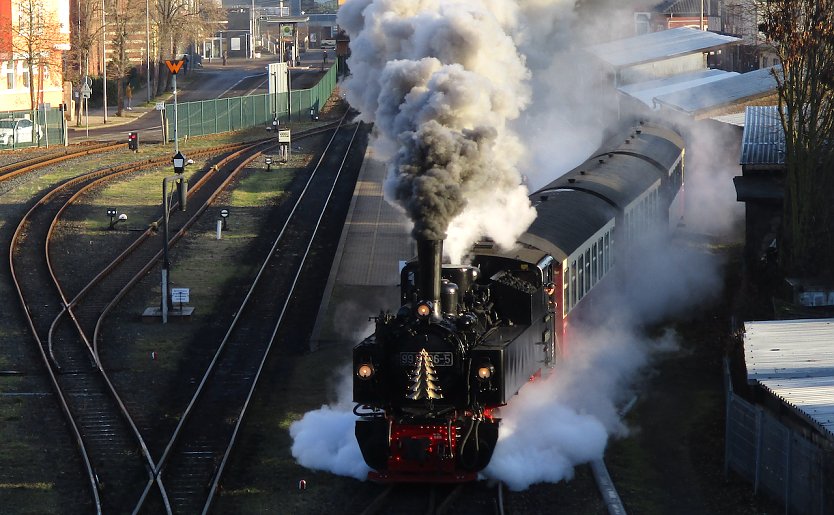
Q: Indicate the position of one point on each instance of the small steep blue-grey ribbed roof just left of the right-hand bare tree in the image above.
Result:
(763, 141)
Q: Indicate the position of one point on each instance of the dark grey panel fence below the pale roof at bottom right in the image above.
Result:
(776, 459)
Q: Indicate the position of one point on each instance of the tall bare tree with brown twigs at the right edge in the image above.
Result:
(801, 33)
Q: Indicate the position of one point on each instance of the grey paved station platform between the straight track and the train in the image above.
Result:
(364, 278)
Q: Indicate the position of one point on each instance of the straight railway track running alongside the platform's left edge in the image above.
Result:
(191, 467)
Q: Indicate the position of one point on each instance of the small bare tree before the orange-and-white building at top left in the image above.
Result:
(35, 32)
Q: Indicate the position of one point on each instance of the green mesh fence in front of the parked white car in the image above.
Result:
(41, 127)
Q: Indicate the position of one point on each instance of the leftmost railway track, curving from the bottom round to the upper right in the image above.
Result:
(112, 449)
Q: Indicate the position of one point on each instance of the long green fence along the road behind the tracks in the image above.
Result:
(235, 113)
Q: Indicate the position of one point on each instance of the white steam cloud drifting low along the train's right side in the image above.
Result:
(555, 424)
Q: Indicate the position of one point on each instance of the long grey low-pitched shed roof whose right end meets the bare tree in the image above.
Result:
(715, 95)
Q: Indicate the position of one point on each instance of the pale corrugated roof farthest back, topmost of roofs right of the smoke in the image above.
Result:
(657, 46)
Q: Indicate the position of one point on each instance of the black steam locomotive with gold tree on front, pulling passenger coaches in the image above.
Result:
(466, 338)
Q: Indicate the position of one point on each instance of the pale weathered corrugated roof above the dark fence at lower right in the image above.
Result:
(794, 359)
